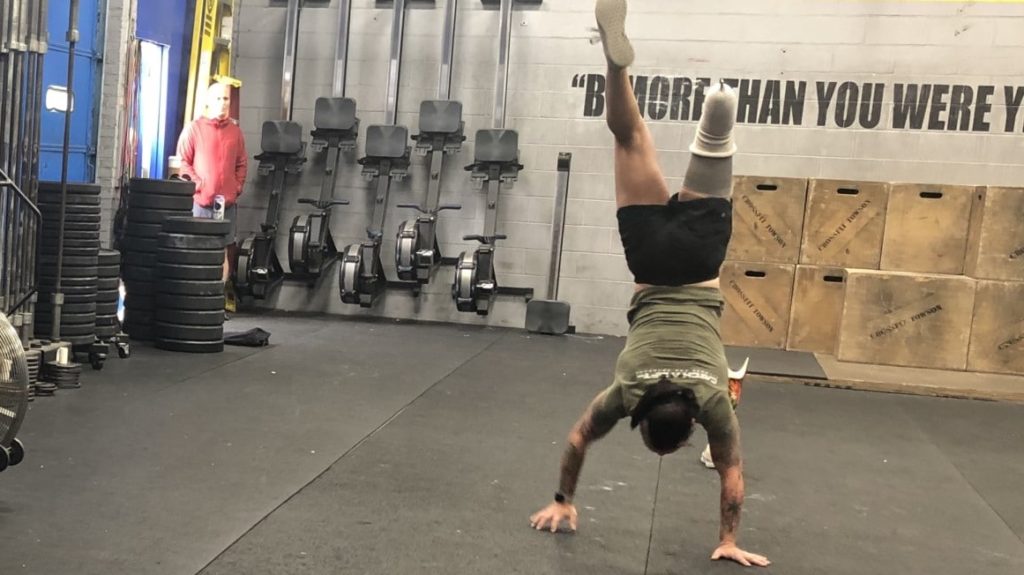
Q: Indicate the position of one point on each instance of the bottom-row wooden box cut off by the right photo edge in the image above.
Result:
(998, 331)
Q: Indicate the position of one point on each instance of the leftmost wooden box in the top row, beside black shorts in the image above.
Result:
(767, 219)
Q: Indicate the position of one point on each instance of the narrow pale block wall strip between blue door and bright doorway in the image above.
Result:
(118, 29)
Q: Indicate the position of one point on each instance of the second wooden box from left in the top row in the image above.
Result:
(844, 224)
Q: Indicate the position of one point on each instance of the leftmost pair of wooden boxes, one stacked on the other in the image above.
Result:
(757, 279)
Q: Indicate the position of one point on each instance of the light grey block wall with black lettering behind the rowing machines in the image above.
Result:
(808, 45)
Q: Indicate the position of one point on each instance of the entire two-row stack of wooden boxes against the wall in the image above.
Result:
(875, 273)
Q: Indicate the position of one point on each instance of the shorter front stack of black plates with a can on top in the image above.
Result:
(190, 292)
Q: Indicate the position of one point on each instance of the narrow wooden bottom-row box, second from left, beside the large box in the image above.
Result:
(818, 309)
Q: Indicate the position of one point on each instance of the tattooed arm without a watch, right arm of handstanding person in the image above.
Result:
(729, 461)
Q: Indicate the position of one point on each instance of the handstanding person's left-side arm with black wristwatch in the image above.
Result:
(595, 423)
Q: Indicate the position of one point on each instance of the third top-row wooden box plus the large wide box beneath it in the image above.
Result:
(917, 309)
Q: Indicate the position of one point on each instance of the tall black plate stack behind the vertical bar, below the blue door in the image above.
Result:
(81, 251)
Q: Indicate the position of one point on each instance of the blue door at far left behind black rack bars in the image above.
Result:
(82, 150)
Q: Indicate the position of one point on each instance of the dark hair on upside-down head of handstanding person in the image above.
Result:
(670, 411)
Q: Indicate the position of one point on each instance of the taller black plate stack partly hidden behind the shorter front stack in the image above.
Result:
(150, 203)
